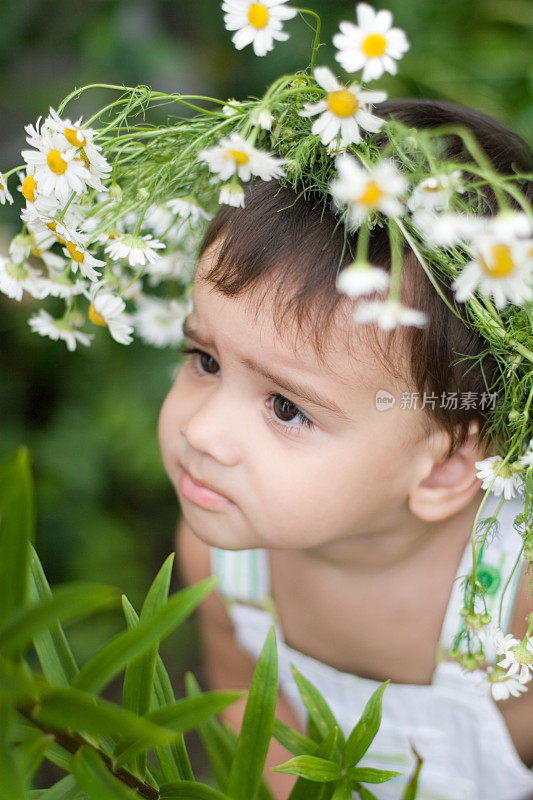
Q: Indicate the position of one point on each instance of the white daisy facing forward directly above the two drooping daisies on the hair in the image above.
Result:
(366, 190)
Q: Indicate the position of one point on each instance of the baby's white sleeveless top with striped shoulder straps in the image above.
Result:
(453, 722)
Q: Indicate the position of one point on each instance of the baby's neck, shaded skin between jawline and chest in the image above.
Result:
(411, 541)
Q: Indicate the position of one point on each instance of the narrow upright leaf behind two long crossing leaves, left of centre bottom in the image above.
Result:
(173, 758)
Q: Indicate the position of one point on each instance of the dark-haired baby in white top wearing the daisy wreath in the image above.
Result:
(343, 518)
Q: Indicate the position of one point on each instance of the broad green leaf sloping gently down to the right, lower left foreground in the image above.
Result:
(71, 708)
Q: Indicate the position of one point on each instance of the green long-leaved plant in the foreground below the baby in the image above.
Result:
(138, 750)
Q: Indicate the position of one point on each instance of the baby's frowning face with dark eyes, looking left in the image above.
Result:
(300, 449)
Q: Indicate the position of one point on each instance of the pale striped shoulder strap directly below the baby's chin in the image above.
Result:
(244, 574)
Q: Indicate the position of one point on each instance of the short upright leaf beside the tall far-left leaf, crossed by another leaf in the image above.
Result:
(53, 650)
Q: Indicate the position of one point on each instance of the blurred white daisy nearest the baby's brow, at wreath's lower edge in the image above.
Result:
(159, 322)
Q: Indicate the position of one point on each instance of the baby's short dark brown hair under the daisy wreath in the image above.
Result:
(289, 246)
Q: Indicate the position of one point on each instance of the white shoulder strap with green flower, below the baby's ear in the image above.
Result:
(496, 570)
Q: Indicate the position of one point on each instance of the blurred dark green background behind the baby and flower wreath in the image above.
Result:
(105, 509)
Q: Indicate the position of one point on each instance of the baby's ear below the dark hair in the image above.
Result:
(446, 485)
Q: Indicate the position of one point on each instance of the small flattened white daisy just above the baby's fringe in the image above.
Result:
(233, 155)
